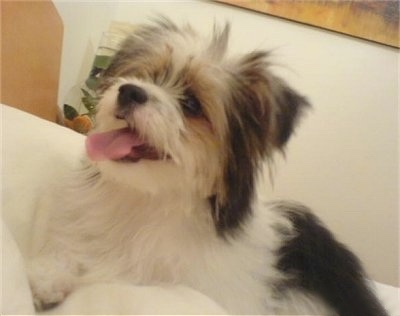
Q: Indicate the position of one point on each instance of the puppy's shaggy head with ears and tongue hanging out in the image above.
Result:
(177, 115)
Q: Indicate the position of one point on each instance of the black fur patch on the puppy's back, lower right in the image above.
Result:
(324, 267)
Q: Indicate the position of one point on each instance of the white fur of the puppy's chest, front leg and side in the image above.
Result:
(117, 234)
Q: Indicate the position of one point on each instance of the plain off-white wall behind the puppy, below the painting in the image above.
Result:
(343, 162)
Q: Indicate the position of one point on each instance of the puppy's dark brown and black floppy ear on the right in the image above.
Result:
(262, 115)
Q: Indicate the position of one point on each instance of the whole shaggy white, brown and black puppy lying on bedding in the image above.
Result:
(167, 192)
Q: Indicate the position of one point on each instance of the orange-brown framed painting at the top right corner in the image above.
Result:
(376, 21)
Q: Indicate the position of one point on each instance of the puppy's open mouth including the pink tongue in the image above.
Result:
(119, 145)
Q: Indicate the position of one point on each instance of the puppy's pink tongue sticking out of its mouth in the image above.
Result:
(111, 145)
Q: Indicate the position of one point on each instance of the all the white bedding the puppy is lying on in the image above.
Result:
(35, 153)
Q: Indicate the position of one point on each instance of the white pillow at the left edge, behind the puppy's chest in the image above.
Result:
(36, 154)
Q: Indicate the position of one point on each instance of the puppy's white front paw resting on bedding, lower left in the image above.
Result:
(51, 281)
